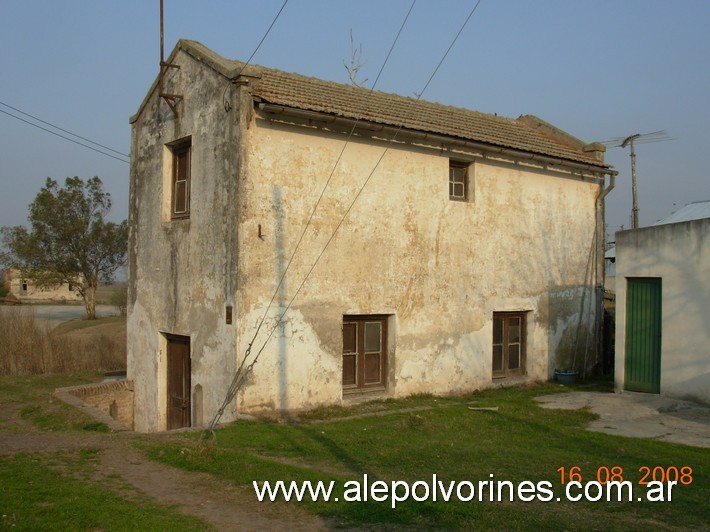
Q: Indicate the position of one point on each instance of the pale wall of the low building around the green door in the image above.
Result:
(678, 254)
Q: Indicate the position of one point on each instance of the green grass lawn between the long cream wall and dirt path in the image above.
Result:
(443, 436)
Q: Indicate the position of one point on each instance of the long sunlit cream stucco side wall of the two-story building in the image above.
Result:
(440, 268)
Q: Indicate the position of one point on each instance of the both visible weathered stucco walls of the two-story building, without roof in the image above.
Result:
(438, 269)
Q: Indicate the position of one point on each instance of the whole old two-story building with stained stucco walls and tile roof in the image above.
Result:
(355, 243)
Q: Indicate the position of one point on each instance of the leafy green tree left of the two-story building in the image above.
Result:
(69, 240)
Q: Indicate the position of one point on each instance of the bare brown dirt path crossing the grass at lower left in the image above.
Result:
(120, 464)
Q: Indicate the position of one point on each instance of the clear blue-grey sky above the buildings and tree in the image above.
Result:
(598, 70)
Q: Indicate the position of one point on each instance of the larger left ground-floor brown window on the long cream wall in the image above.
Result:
(364, 352)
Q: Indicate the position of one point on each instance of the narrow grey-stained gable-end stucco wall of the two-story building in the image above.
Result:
(182, 272)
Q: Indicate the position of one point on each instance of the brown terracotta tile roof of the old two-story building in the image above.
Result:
(346, 101)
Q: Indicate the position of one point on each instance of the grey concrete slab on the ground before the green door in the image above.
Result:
(639, 415)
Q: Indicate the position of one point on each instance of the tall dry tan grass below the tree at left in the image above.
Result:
(28, 347)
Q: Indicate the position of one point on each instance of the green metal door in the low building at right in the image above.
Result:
(643, 335)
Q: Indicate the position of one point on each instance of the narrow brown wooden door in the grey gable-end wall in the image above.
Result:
(178, 382)
